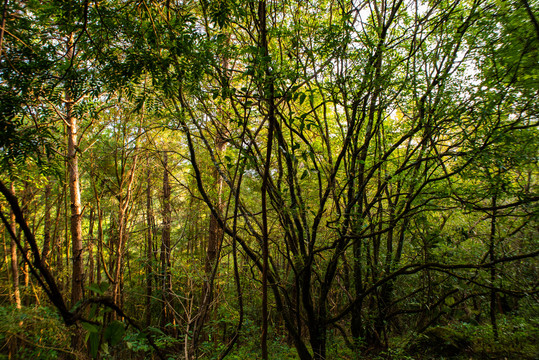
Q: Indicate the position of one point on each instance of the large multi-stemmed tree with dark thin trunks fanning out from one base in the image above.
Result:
(366, 159)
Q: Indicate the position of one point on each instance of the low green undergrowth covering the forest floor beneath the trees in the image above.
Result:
(37, 333)
